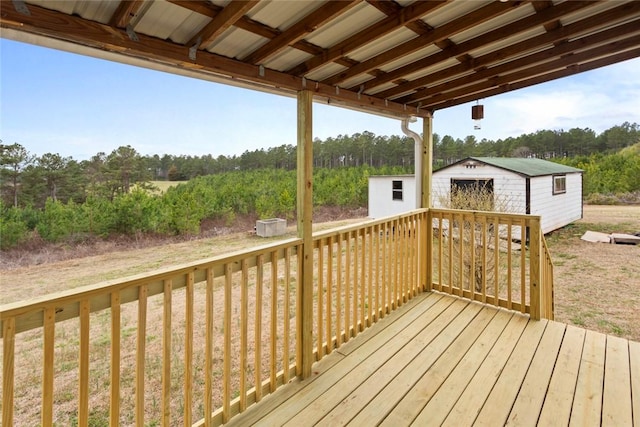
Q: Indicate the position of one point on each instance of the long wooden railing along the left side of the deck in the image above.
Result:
(201, 341)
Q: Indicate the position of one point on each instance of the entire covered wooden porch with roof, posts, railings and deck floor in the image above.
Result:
(321, 295)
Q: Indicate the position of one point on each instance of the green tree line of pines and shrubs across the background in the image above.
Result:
(58, 198)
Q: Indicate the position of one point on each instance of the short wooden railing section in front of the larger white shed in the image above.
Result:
(496, 258)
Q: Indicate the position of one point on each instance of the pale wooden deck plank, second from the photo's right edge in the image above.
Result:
(616, 399)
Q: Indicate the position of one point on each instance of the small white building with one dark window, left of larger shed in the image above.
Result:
(381, 201)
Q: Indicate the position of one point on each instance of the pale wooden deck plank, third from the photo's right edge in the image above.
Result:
(587, 401)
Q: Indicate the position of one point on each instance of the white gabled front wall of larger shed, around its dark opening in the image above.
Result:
(509, 189)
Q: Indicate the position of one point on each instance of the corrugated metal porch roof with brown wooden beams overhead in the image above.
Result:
(396, 58)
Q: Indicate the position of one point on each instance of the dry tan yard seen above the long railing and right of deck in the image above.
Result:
(597, 285)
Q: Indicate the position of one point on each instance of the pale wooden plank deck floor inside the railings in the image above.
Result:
(445, 361)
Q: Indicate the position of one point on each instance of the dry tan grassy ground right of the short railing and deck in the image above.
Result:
(597, 285)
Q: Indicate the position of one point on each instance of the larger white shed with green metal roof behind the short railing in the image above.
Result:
(519, 185)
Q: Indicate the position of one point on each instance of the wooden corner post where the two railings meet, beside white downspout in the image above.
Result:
(426, 267)
